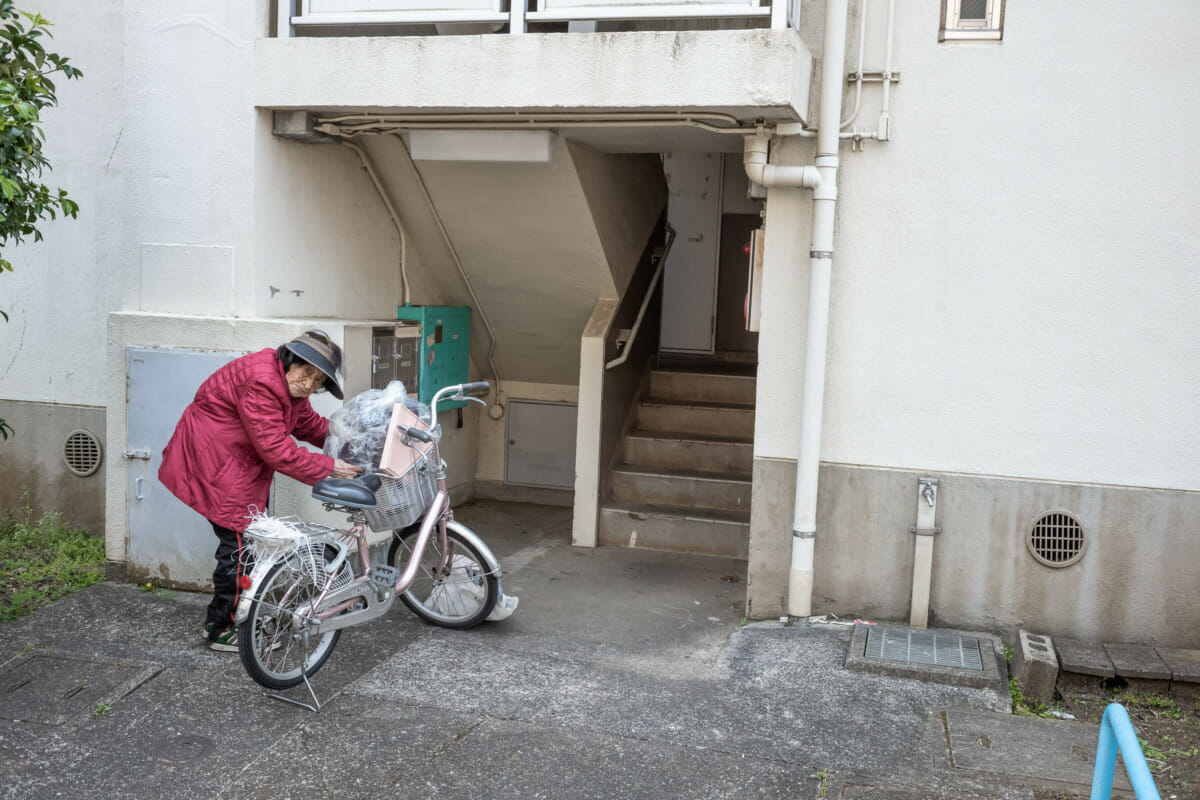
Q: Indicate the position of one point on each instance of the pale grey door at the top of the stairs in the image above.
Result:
(689, 279)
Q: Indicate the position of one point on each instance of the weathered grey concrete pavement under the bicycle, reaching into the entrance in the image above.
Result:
(623, 675)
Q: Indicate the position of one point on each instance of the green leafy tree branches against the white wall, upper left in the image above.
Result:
(26, 89)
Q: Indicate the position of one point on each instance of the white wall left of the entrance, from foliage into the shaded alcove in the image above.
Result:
(189, 204)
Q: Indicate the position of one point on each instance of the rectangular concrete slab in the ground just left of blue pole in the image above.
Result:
(1047, 750)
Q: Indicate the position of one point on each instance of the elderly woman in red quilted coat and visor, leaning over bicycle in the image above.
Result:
(235, 437)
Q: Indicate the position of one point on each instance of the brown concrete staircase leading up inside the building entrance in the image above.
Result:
(685, 483)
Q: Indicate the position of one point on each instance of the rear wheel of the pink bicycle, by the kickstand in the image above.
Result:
(272, 652)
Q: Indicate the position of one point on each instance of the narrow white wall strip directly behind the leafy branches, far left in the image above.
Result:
(62, 290)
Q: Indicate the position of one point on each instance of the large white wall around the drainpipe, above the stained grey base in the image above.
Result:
(1015, 285)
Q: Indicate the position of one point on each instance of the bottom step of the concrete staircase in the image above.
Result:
(675, 530)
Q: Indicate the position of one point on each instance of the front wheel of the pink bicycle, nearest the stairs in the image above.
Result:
(465, 598)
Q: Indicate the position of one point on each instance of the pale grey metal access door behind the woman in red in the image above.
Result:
(169, 543)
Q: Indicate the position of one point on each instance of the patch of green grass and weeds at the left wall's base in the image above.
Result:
(43, 561)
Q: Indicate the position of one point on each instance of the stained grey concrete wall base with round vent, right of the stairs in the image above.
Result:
(1136, 581)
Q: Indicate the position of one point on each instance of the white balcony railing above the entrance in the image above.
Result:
(332, 14)
